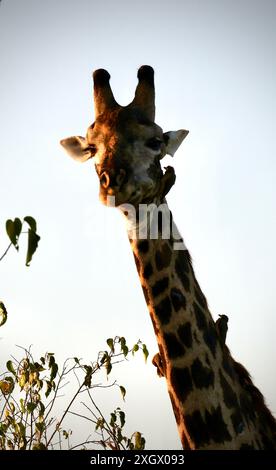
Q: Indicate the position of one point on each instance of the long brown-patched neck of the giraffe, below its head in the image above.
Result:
(211, 409)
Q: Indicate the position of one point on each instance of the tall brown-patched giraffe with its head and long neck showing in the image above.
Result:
(215, 403)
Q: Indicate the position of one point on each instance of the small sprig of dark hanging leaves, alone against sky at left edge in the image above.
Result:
(14, 230)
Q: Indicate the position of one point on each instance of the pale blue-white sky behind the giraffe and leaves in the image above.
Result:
(215, 67)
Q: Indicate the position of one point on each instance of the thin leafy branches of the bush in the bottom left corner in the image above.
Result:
(30, 388)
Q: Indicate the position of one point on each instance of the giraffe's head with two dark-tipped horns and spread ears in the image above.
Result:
(126, 144)
